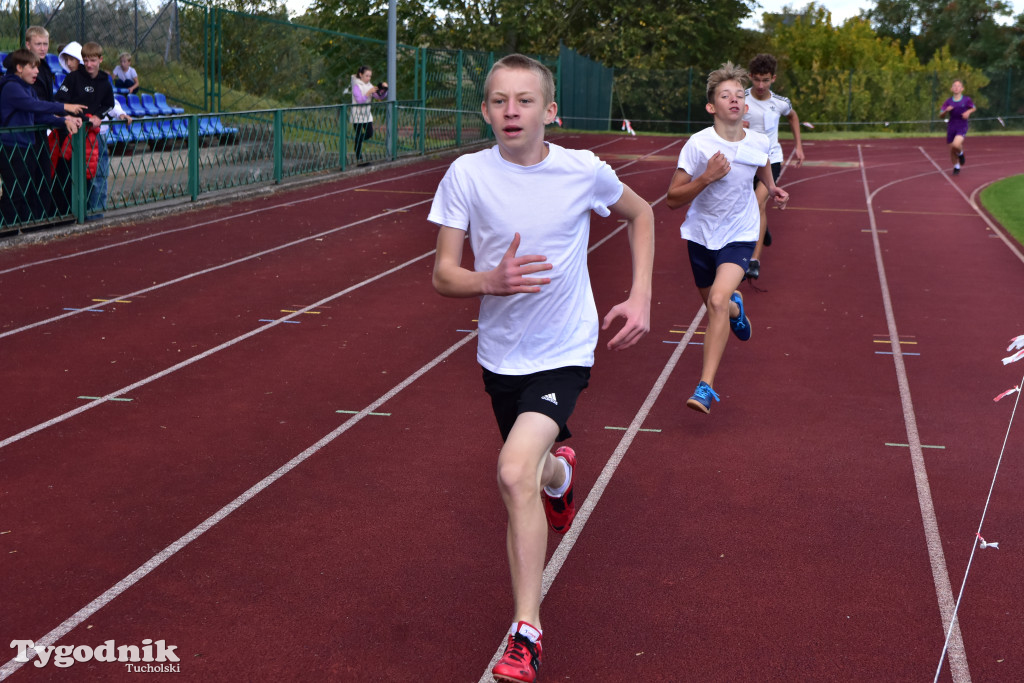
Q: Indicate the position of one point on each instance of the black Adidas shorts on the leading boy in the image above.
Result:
(550, 393)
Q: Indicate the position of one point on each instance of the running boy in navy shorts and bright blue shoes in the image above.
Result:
(715, 177)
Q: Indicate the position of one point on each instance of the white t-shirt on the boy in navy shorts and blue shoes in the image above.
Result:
(727, 210)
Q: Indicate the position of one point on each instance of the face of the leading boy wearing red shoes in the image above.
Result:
(518, 113)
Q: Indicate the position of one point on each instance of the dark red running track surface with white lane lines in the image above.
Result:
(261, 437)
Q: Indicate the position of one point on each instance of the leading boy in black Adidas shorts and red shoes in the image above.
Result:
(538, 323)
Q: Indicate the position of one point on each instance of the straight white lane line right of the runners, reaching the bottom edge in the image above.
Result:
(941, 575)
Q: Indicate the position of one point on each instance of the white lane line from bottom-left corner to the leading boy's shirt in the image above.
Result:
(112, 593)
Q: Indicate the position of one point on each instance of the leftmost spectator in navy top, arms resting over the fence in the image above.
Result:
(21, 162)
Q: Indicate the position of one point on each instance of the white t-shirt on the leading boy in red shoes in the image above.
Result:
(549, 205)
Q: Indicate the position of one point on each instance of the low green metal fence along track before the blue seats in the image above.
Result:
(263, 147)
